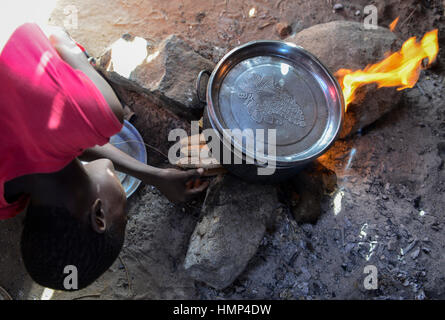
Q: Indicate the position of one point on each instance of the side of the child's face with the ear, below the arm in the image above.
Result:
(110, 191)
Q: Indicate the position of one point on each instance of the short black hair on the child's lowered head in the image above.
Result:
(53, 239)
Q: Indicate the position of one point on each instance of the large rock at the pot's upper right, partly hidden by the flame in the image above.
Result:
(346, 44)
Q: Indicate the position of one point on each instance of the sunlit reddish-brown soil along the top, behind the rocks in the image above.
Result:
(213, 27)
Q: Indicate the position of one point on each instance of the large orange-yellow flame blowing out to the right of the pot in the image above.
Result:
(400, 69)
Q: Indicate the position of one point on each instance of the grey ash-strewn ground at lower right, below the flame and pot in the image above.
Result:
(386, 212)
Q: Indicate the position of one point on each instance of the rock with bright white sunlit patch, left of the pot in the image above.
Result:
(165, 72)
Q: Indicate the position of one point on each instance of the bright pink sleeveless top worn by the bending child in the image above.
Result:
(49, 112)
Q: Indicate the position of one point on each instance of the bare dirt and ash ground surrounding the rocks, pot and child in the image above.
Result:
(388, 210)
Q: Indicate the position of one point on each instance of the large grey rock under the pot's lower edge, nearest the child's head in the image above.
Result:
(234, 219)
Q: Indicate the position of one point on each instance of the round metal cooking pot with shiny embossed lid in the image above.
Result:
(272, 86)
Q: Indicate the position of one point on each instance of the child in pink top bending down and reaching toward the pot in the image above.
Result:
(56, 109)
